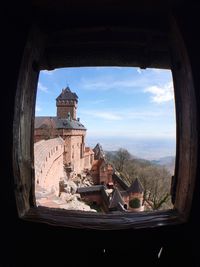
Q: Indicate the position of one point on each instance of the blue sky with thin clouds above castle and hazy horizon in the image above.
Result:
(114, 101)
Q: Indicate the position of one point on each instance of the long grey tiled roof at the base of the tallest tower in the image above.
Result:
(58, 123)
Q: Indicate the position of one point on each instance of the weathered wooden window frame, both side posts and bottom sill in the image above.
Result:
(186, 149)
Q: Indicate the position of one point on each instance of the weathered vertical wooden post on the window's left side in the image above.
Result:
(23, 157)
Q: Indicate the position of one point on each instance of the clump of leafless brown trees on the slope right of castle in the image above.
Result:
(156, 180)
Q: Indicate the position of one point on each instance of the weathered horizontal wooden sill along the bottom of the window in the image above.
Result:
(100, 221)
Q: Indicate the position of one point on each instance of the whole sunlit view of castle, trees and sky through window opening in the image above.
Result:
(104, 139)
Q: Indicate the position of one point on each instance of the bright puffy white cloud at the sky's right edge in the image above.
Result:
(161, 94)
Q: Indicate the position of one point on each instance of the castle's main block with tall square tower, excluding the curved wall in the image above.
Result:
(76, 156)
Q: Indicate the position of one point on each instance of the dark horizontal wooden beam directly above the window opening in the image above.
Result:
(104, 56)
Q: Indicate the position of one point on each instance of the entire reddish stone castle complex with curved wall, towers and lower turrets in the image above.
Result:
(60, 141)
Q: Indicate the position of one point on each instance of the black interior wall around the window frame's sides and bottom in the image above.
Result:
(46, 244)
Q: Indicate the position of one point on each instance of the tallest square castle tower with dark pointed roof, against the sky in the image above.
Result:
(66, 103)
